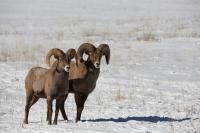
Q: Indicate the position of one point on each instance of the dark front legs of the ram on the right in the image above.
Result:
(80, 100)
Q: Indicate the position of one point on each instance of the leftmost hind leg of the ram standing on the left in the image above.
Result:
(27, 107)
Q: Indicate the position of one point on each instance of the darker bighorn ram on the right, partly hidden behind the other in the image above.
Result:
(89, 70)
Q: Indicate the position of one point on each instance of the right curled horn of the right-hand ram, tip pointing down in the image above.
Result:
(105, 49)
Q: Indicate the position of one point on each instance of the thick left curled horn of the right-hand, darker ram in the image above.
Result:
(87, 48)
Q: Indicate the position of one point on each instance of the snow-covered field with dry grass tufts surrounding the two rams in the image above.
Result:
(152, 84)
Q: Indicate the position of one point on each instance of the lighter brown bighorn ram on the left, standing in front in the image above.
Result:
(49, 83)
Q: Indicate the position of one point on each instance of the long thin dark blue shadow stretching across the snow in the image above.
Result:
(153, 119)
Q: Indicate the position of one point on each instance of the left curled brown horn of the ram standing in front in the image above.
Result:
(57, 53)
